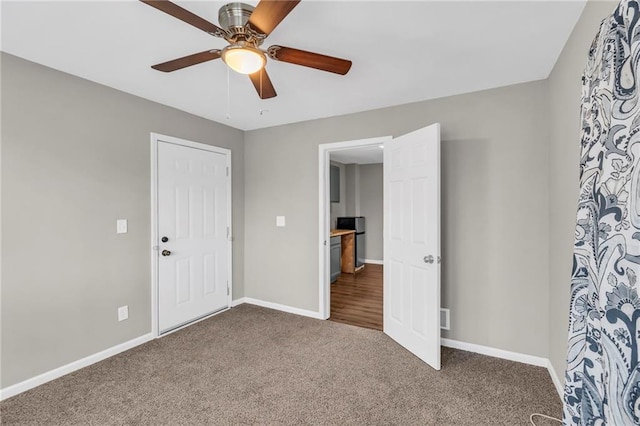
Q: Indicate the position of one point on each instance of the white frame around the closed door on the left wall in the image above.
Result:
(155, 138)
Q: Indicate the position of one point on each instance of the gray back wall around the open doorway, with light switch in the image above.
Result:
(494, 209)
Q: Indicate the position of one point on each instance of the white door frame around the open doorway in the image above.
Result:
(324, 215)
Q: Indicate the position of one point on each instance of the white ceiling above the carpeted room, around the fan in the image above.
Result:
(401, 51)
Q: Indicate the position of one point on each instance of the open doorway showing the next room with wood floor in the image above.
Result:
(356, 206)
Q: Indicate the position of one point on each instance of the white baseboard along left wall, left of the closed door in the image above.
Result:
(43, 378)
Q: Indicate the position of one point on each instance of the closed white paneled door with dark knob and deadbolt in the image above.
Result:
(193, 227)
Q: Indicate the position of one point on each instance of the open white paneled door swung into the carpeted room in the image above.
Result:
(412, 242)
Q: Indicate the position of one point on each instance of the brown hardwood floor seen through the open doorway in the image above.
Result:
(356, 299)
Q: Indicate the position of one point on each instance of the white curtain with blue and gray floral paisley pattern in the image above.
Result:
(602, 383)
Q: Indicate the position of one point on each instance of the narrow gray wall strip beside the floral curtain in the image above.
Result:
(564, 147)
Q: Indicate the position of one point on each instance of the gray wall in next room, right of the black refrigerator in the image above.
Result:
(371, 207)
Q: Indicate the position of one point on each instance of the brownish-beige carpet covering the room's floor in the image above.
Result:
(252, 365)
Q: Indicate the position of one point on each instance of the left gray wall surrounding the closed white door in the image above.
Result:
(76, 157)
